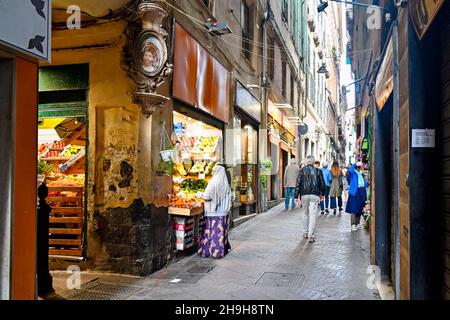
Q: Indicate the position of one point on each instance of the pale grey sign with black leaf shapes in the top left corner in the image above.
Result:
(25, 26)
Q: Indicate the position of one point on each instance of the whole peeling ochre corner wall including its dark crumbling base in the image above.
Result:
(125, 232)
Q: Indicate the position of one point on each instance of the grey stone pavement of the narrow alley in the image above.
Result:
(269, 260)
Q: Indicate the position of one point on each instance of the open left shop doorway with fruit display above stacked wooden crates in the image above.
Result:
(62, 144)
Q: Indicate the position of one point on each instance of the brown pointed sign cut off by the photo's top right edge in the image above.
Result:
(422, 14)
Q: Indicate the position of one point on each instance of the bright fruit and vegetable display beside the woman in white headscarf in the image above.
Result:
(198, 149)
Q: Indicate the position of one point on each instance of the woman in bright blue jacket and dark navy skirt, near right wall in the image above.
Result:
(357, 195)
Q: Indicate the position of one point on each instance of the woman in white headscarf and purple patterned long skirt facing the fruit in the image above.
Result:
(214, 238)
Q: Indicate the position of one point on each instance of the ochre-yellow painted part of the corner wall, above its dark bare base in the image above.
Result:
(113, 119)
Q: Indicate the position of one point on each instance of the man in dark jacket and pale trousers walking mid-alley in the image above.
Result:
(310, 187)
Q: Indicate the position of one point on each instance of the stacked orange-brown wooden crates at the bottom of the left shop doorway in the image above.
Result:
(66, 222)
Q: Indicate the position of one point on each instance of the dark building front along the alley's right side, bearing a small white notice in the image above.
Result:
(402, 114)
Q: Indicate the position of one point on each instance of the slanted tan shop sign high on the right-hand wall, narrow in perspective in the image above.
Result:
(384, 84)
